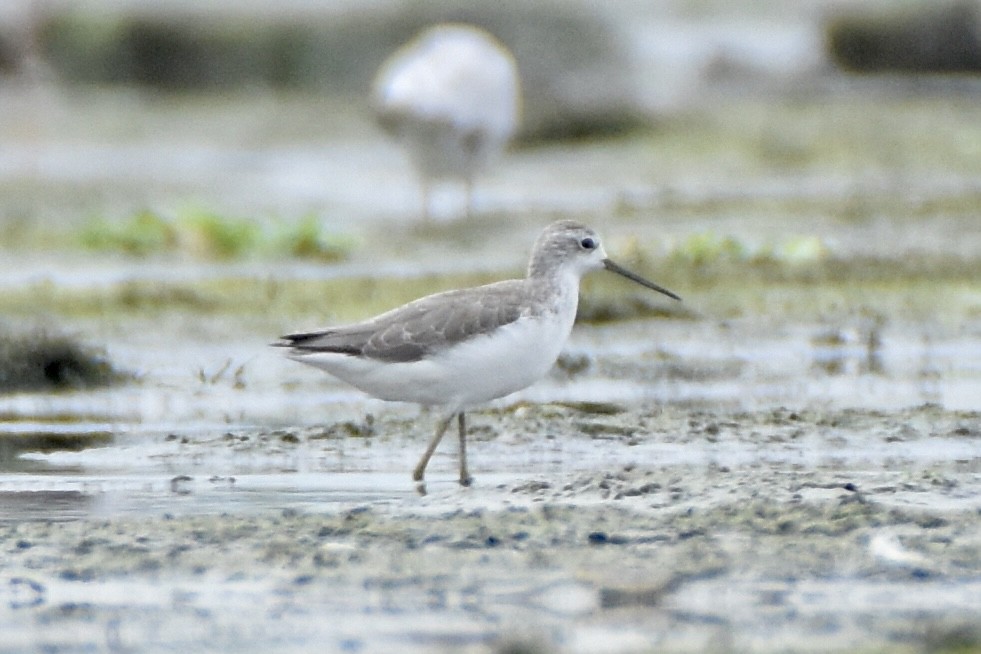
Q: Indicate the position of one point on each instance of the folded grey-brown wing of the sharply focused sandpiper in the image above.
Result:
(415, 330)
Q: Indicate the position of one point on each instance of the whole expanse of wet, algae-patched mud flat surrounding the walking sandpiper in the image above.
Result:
(650, 495)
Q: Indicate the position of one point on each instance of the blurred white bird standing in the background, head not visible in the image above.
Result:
(451, 95)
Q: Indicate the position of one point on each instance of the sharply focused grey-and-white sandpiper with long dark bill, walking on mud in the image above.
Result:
(461, 348)
